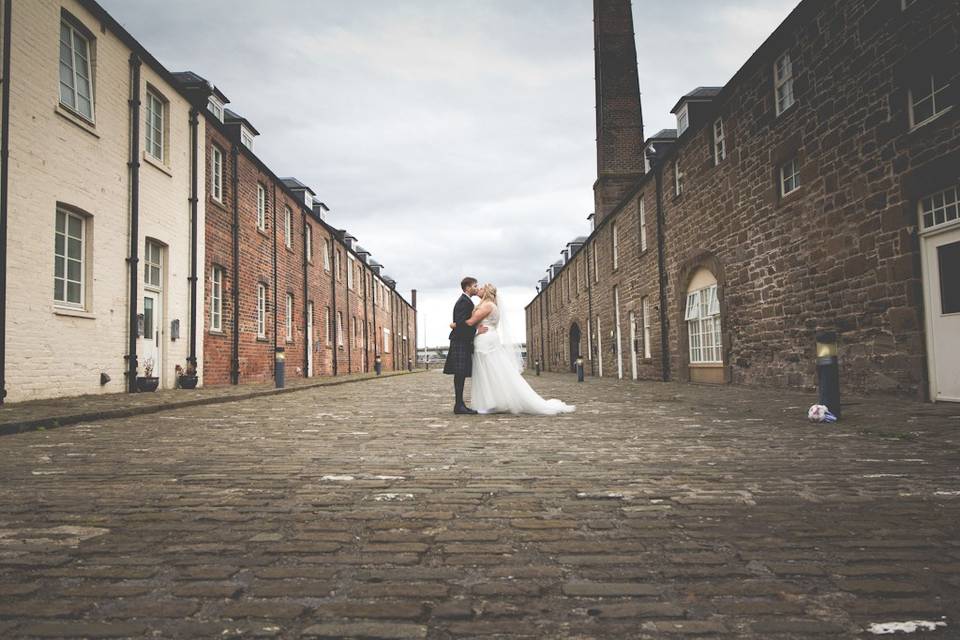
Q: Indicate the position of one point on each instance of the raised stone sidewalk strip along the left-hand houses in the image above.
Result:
(58, 412)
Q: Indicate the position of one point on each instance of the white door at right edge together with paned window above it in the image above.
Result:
(940, 226)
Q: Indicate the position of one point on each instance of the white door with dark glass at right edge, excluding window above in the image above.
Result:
(941, 282)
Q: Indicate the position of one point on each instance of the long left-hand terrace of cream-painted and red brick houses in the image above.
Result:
(114, 173)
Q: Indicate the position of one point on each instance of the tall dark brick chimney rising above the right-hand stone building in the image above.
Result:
(619, 118)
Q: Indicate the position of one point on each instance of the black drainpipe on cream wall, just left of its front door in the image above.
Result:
(134, 258)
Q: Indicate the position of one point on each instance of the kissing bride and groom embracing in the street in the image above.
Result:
(480, 348)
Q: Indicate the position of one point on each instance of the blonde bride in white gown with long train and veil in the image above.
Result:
(497, 384)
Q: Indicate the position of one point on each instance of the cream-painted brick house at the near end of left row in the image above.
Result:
(74, 196)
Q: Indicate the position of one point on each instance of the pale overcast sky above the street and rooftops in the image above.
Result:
(452, 137)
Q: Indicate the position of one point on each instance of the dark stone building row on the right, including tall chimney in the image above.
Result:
(817, 190)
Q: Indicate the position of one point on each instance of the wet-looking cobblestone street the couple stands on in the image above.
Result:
(370, 510)
